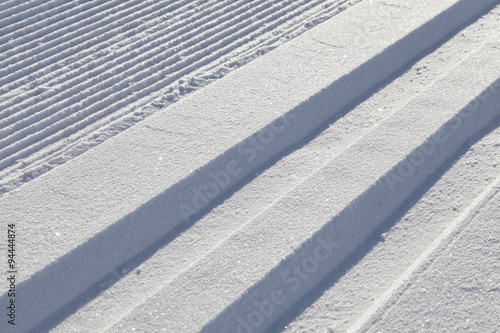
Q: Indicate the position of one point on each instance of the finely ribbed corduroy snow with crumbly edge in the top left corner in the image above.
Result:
(86, 71)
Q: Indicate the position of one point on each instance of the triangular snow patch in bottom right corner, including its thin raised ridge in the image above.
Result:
(464, 252)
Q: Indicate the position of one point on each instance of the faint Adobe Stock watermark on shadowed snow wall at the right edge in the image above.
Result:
(417, 158)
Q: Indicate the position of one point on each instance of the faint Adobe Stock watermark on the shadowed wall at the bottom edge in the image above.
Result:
(292, 277)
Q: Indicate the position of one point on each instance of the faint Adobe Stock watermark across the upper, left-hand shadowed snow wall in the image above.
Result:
(219, 181)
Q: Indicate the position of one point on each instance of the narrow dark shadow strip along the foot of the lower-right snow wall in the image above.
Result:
(357, 255)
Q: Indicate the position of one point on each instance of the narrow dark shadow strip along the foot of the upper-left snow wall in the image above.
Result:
(131, 264)
